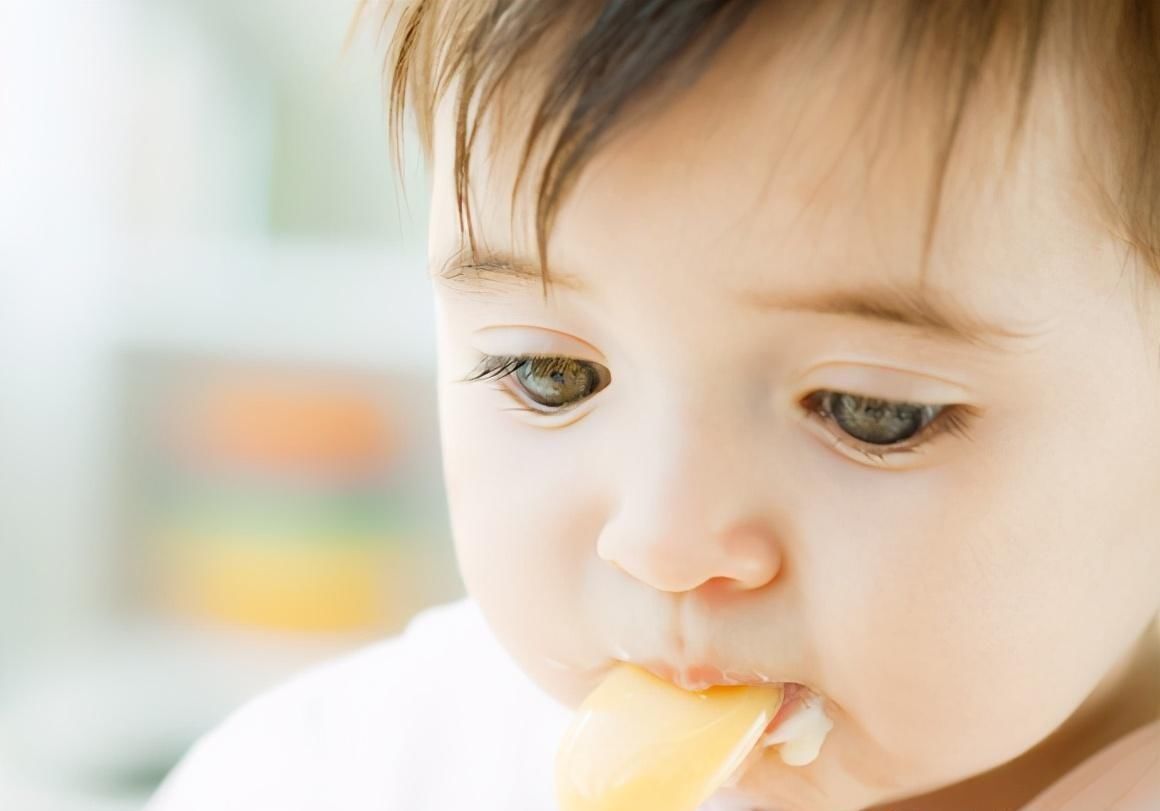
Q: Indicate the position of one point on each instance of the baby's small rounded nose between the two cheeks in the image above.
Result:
(688, 502)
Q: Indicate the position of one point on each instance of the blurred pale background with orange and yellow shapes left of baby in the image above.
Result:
(219, 451)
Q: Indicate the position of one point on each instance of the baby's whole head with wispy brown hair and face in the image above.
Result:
(806, 342)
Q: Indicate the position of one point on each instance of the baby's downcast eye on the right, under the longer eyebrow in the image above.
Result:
(882, 428)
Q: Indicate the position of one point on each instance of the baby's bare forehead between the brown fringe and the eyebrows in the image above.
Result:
(803, 171)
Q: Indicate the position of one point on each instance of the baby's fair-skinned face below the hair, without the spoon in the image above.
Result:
(687, 486)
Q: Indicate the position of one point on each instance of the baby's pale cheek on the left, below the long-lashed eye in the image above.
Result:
(524, 520)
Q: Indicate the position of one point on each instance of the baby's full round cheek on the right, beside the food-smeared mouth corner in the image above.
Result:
(965, 636)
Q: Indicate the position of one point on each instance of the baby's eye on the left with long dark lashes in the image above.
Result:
(550, 382)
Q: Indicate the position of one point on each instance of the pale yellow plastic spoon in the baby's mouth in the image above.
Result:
(639, 743)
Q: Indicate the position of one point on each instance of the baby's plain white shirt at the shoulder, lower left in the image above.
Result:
(439, 719)
